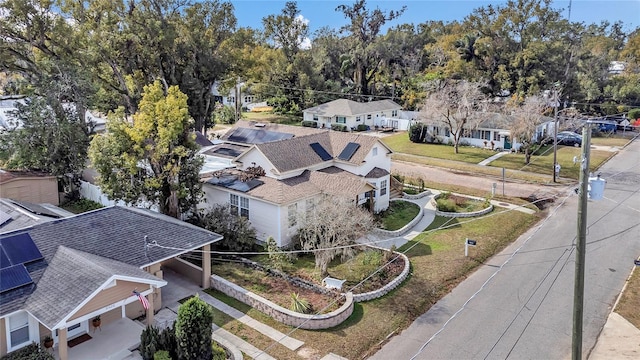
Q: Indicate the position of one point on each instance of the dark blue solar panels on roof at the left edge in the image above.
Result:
(15, 251)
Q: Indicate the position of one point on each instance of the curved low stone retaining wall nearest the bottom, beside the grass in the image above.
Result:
(285, 316)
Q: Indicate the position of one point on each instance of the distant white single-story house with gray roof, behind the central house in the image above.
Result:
(380, 113)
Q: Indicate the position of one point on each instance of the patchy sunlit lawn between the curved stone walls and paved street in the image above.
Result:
(438, 265)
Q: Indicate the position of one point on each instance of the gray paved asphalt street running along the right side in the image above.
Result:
(519, 305)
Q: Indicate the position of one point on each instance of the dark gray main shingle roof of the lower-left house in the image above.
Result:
(116, 233)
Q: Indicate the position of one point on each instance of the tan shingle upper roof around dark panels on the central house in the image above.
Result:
(297, 153)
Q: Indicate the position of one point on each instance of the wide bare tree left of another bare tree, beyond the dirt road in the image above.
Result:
(454, 105)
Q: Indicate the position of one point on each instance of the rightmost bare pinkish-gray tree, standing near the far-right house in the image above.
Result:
(526, 117)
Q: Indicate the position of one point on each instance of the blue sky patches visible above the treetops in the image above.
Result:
(320, 13)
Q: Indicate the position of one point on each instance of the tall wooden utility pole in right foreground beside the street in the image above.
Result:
(581, 243)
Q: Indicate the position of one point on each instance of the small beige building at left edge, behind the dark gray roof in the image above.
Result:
(29, 186)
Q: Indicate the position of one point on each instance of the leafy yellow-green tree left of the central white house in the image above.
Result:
(151, 159)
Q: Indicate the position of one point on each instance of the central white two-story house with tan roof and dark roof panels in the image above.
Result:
(295, 167)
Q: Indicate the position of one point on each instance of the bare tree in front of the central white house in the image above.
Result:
(333, 223)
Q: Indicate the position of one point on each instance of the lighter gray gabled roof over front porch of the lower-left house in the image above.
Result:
(71, 277)
